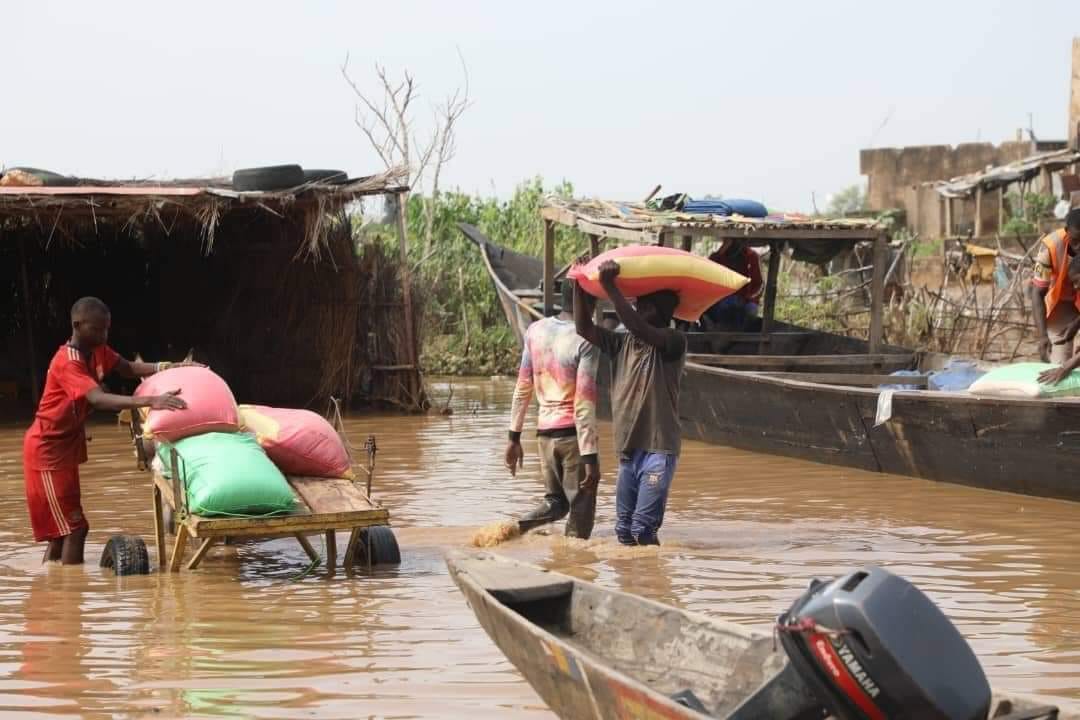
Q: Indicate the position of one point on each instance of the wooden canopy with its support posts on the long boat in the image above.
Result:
(630, 223)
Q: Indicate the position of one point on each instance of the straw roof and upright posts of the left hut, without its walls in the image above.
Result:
(71, 214)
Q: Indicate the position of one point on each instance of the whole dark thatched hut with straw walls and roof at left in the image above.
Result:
(269, 288)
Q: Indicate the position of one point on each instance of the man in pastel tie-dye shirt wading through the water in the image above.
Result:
(561, 369)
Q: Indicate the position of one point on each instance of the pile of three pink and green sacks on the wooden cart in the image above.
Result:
(229, 472)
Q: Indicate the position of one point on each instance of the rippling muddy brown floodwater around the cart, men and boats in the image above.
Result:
(744, 536)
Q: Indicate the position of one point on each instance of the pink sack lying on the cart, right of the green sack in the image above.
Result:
(299, 442)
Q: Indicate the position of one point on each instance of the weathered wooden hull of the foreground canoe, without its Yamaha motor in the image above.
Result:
(595, 654)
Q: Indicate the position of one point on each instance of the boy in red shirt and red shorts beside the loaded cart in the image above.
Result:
(56, 445)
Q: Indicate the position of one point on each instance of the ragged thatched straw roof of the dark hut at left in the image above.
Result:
(205, 201)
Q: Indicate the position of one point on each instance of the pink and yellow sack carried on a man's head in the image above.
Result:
(645, 269)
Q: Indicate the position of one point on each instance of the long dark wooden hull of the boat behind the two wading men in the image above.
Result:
(815, 397)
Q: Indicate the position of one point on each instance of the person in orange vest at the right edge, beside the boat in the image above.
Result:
(1055, 301)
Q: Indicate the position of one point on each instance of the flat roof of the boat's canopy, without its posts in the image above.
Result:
(634, 222)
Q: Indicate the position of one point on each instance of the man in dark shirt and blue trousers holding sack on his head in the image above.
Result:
(649, 362)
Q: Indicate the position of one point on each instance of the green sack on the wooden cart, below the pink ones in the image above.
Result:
(229, 474)
